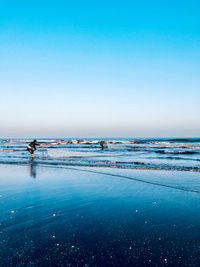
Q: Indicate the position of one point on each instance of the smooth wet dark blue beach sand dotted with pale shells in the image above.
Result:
(59, 216)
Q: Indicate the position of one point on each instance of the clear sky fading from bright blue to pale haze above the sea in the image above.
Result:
(99, 68)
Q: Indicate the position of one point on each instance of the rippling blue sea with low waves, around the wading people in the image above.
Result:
(162, 153)
